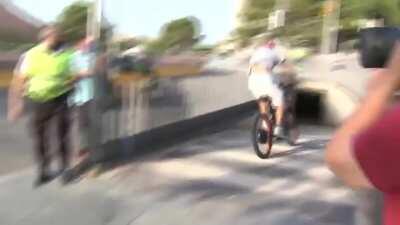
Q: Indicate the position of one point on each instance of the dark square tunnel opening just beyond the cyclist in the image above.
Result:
(309, 107)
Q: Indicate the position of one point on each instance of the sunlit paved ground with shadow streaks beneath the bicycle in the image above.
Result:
(213, 180)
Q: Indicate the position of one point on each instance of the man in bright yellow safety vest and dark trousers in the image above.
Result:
(45, 78)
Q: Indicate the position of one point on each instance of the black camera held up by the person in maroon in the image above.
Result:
(376, 45)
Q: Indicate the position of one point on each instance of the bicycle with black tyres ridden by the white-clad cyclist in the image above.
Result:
(262, 138)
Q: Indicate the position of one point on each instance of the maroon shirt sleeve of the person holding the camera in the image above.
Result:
(377, 150)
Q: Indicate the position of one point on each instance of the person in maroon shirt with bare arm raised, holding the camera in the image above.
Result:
(364, 152)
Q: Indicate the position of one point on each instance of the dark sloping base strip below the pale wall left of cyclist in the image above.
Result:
(157, 139)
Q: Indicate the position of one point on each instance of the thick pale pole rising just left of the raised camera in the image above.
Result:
(330, 29)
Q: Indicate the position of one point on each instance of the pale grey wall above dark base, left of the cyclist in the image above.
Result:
(154, 103)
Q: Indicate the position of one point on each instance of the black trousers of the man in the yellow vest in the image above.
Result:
(43, 113)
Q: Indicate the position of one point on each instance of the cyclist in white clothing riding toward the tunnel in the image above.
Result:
(263, 83)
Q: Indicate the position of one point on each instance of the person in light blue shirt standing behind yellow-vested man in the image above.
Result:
(83, 63)
